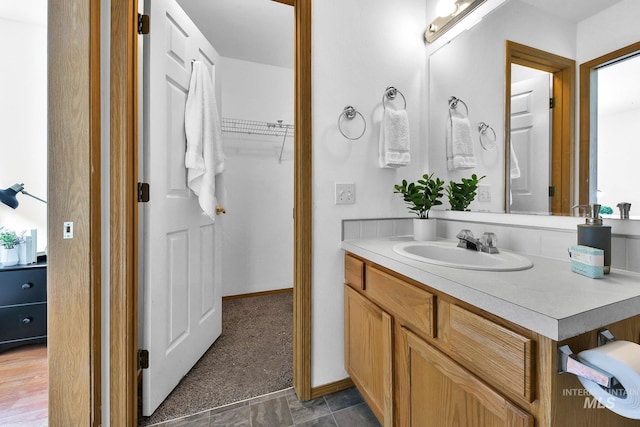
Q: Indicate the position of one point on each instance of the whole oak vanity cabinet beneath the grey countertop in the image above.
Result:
(422, 358)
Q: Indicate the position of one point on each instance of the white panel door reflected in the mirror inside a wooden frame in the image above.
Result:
(531, 142)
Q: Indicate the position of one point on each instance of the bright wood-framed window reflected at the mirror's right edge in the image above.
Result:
(609, 129)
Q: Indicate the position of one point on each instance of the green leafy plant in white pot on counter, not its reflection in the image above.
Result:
(421, 196)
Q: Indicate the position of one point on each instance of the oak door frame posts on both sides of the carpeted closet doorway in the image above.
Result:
(123, 213)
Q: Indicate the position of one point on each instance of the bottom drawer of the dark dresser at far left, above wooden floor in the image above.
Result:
(23, 321)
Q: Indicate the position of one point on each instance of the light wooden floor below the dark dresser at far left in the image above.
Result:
(24, 386)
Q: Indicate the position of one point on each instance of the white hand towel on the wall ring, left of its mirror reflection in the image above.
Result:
(394, 139)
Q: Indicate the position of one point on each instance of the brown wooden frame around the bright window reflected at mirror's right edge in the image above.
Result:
(585, 114)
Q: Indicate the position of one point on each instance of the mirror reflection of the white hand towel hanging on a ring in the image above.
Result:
(460, 154)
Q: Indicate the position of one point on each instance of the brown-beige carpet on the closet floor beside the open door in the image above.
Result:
(252, 357)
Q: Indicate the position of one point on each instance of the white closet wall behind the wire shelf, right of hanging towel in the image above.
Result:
(257, 242)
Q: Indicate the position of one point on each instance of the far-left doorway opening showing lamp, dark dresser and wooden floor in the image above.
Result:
(23, 287)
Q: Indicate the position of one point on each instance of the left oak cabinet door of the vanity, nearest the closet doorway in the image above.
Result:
(367, 349)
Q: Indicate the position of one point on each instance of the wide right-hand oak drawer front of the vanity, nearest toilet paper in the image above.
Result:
(496, 353)
